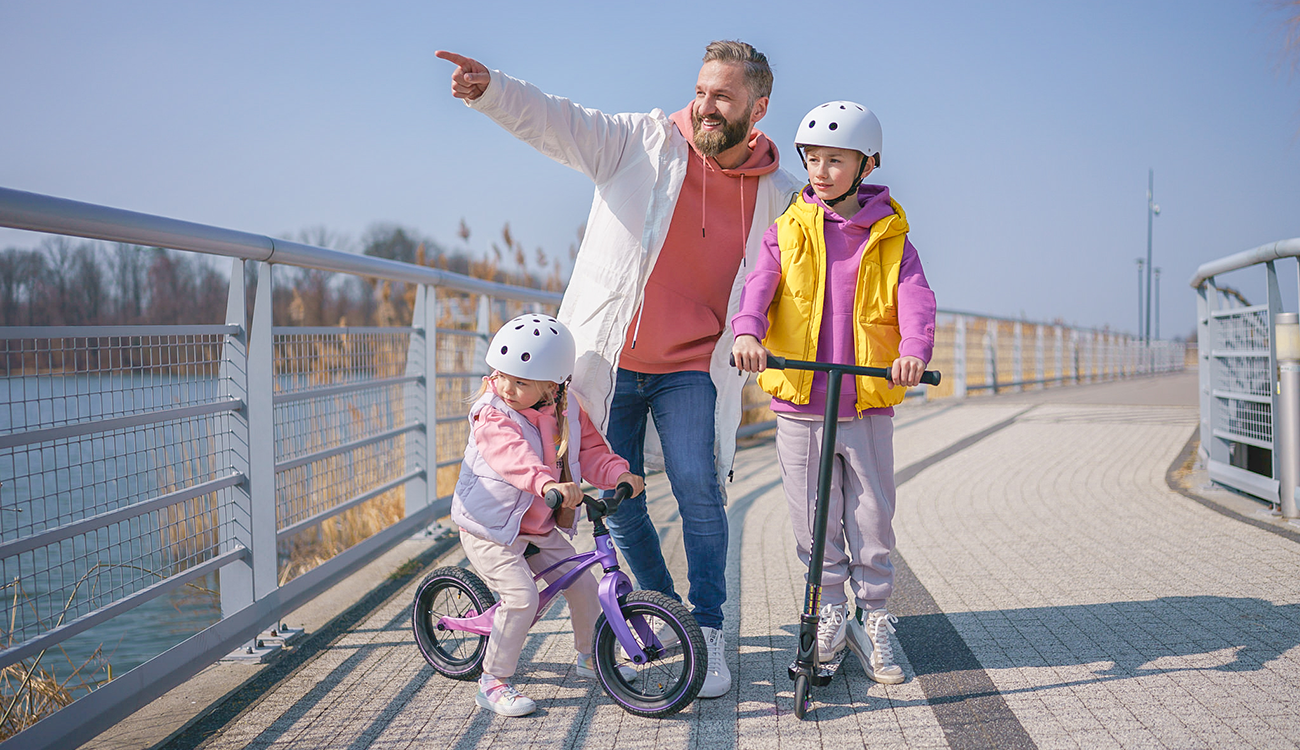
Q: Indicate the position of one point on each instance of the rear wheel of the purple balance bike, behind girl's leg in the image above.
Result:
(450, 593)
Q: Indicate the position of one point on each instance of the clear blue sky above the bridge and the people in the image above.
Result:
(1017, 136)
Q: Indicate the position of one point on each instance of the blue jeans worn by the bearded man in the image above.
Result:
(682, 406)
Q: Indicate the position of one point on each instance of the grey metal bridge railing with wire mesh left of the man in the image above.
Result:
(138, 459)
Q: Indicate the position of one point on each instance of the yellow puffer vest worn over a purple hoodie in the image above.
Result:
(795, 317)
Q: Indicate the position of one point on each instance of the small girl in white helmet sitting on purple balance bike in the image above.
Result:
(527, 439)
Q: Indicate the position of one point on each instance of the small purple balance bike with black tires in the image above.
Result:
(454, 610)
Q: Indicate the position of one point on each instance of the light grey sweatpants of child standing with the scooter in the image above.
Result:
(860, 526)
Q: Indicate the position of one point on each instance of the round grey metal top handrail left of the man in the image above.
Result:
(36, 213)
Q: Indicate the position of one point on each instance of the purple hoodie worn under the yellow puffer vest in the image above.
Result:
(844, 244)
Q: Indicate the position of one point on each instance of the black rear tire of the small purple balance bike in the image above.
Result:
(424, 623)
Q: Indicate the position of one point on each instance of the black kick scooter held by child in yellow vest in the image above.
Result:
(805, 670)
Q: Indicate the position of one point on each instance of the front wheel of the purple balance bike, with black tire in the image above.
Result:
(673, 677)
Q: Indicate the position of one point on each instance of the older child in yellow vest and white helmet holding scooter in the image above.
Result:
(839, 283)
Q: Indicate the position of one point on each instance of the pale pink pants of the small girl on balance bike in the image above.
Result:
(510, 575)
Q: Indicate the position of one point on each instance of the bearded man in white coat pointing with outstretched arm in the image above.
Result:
(682, 203)
